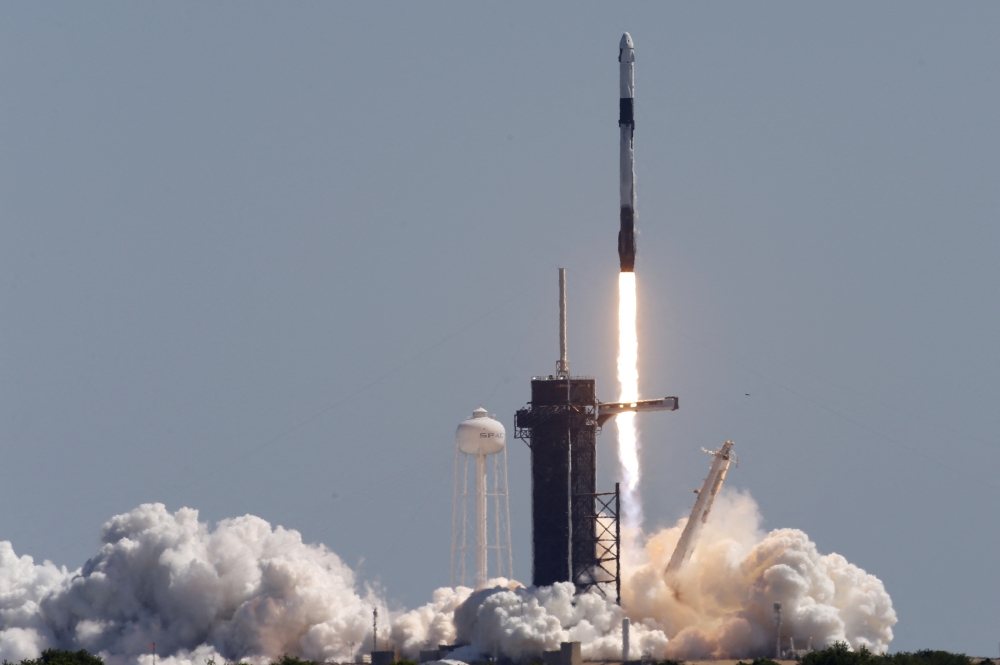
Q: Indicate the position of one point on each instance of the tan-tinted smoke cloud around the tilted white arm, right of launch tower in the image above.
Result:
(720, 604)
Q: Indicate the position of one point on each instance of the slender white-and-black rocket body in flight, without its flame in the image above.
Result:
(626, 127)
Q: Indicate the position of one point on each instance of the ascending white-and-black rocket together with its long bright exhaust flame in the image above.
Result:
(628, 343)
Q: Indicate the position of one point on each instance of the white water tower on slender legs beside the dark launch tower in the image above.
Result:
(477, 439)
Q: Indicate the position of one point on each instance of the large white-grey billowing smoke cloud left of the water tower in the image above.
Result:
(241, 590)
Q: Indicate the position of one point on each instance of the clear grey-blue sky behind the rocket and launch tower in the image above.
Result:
(263, 258)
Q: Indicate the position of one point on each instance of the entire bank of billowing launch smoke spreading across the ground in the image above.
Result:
(247, 590)
